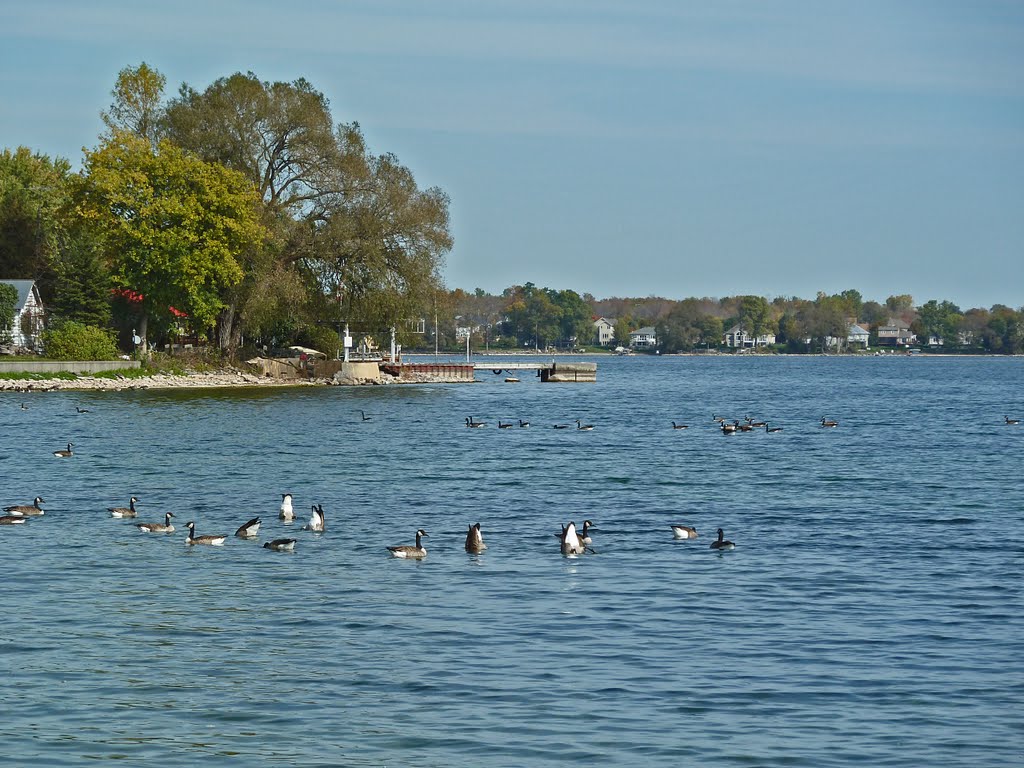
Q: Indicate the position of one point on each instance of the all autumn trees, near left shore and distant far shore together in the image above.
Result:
(244, 216)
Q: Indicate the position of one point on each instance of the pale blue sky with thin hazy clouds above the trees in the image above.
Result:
(621, 149)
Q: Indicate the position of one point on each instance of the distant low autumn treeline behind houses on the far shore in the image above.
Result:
(528, 316)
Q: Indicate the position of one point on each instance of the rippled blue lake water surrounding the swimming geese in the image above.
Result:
(871, 614)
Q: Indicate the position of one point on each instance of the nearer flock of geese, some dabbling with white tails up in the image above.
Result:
(573, 541)
